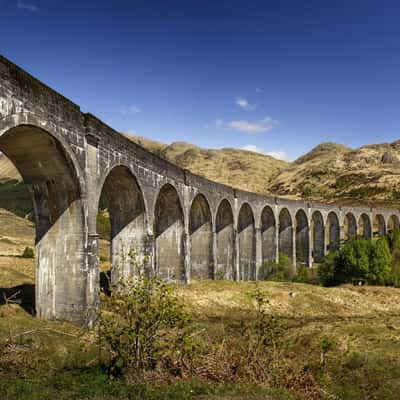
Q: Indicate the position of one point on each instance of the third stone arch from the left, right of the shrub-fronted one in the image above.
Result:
(169, 235)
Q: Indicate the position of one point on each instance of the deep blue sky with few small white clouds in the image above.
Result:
(274, 76)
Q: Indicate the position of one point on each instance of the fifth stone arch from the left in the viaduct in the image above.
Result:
(224, 228)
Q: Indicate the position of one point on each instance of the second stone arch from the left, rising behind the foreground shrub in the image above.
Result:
(123, 198)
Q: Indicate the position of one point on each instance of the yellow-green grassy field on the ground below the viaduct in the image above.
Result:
(339, 343)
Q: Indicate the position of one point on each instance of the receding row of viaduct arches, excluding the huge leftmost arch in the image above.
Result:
(227, 252)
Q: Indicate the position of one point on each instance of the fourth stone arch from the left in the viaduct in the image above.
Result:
(200, 230)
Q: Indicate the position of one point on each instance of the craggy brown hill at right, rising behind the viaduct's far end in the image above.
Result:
(332, 172)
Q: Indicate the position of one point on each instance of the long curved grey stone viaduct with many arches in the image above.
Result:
(182, 225)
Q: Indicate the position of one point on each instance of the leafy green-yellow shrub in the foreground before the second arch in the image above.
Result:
(142, 327)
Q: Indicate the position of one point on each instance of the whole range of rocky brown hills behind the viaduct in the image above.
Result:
(329, 172)
